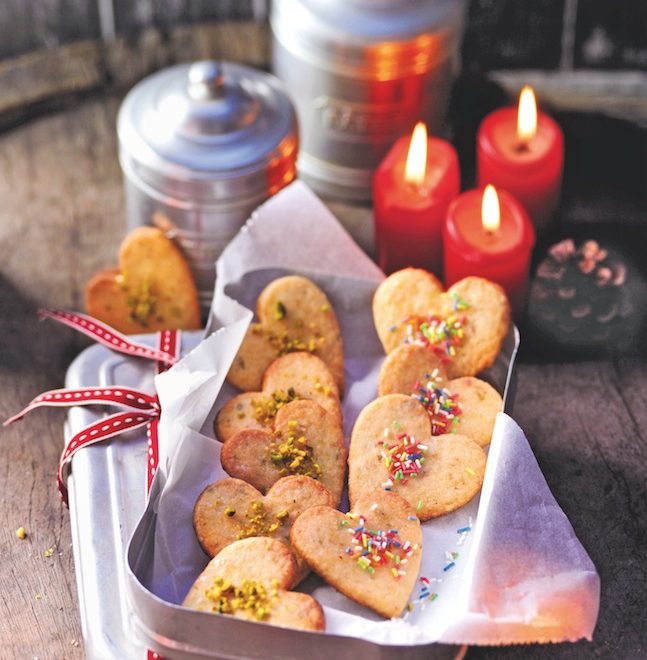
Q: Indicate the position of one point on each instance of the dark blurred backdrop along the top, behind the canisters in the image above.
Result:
(500, 34)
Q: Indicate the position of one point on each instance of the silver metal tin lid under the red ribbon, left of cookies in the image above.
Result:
(107, 497)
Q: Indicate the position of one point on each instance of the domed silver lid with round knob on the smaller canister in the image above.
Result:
(208, 130)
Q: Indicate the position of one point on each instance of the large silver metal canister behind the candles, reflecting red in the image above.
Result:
(361, 74)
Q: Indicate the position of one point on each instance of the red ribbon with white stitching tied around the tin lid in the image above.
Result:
(143, 409)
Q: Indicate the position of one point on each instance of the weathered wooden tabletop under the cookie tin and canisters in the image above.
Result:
(62, 218)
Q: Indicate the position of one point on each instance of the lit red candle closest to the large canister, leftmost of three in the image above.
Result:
(412, 189)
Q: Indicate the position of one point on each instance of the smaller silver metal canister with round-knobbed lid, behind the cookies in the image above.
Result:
(201, 146)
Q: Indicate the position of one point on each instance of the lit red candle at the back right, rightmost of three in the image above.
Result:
(522, 152)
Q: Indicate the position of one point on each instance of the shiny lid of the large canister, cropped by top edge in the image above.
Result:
(387, 38)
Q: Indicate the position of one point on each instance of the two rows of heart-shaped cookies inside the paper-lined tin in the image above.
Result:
(416, 451)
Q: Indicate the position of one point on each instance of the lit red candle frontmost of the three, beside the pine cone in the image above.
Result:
(491, 236)
